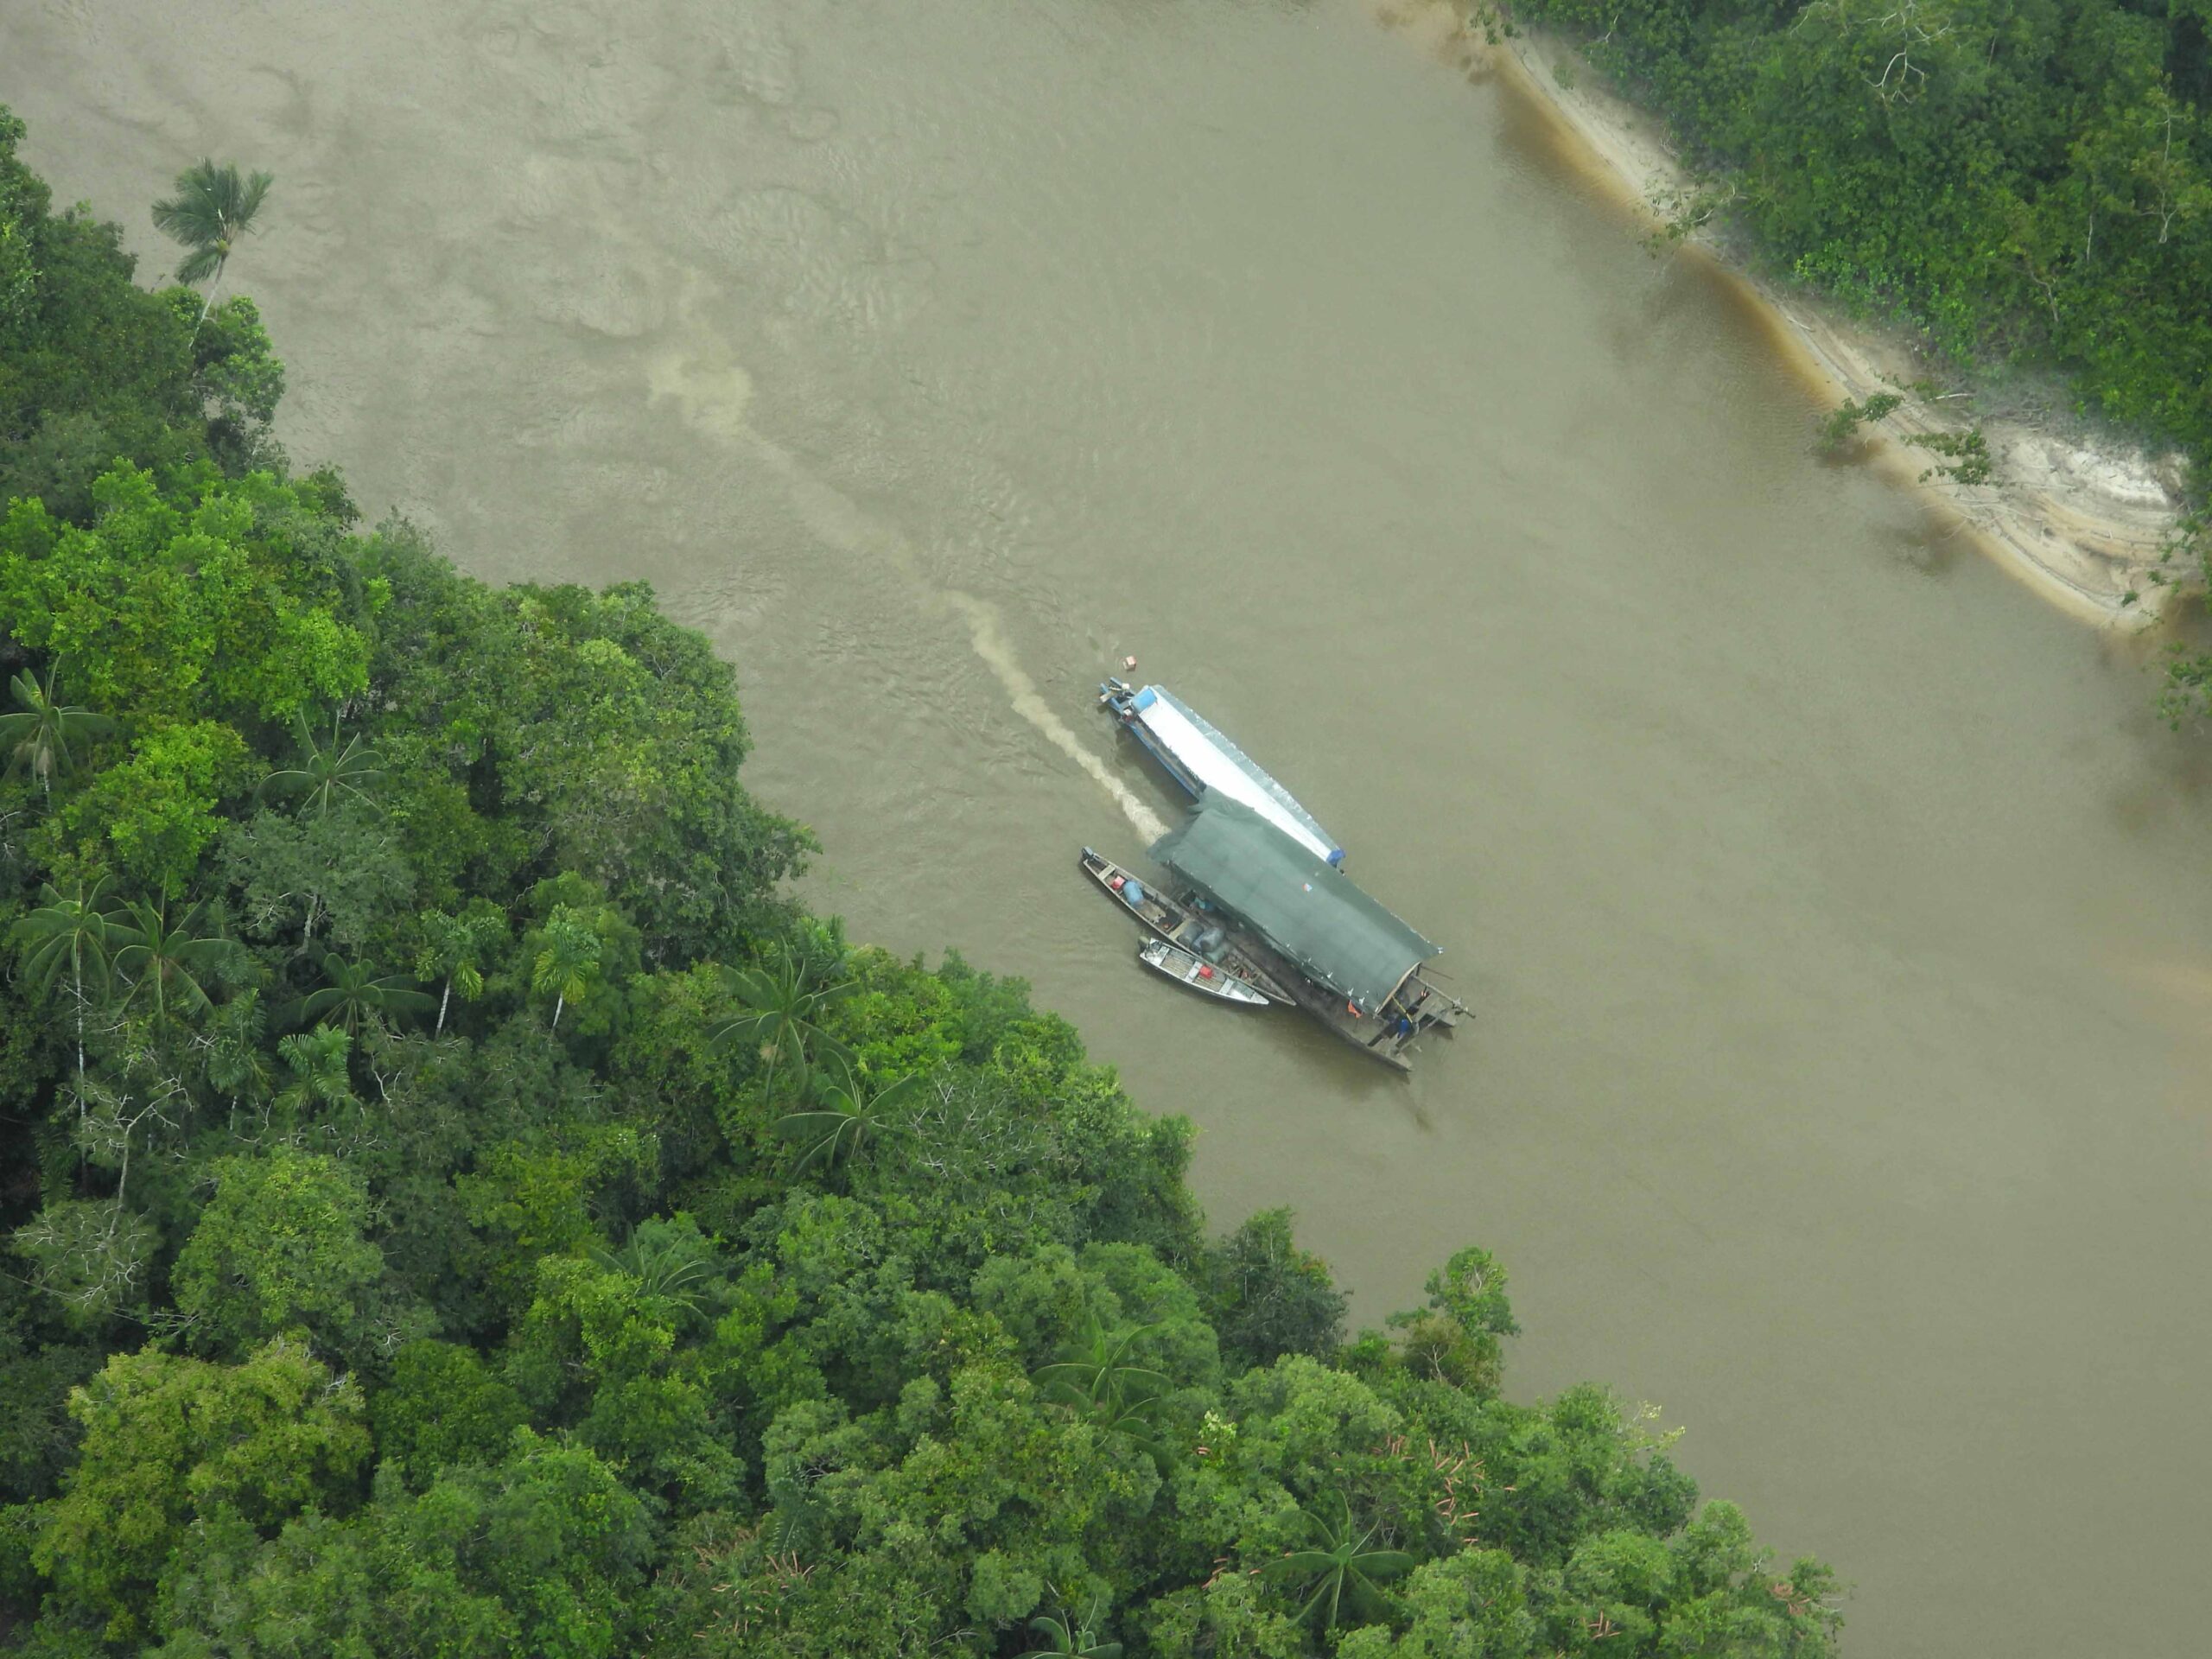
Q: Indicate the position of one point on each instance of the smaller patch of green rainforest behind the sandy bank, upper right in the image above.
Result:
(2023, 180)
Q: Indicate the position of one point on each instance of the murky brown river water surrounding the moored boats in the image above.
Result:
(1837, 917)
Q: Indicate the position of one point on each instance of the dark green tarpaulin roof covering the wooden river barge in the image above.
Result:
(1302, 906)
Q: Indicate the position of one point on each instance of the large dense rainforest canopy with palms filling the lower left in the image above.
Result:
(455, 1202)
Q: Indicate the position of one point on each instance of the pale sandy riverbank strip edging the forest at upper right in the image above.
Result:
(2080, 523)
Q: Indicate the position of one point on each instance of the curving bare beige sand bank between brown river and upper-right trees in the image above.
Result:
(2089, 521)
